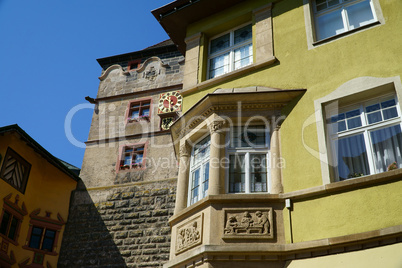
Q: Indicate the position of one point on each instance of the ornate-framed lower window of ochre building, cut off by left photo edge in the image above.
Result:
(11, 218)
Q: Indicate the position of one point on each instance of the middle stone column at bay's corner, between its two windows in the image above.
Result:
(216, 130)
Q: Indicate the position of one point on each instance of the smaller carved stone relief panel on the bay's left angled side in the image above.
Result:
(189, 234)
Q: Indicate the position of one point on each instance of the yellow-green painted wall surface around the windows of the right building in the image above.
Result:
(371, 52)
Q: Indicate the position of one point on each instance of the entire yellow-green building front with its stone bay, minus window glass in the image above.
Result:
(318, 211)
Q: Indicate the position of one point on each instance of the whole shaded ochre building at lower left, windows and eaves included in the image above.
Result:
(44, 203)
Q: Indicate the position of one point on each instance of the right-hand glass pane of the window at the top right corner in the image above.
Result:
(359, 14)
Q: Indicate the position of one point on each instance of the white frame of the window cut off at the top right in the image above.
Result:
(343, 5)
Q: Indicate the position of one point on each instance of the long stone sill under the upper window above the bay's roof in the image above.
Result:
(228, 76)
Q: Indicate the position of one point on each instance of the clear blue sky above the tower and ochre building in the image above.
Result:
(48, 52)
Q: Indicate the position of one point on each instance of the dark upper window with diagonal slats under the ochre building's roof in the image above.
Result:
(15, 170)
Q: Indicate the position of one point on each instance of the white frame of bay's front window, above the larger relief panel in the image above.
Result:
(232, 150)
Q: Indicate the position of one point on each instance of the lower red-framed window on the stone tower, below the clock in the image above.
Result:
(132, 156)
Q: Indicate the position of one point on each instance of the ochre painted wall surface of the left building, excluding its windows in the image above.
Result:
(48, 189)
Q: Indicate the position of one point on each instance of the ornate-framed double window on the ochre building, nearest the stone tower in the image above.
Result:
(43, 233)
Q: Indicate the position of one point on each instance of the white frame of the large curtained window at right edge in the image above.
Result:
(364, 129)
